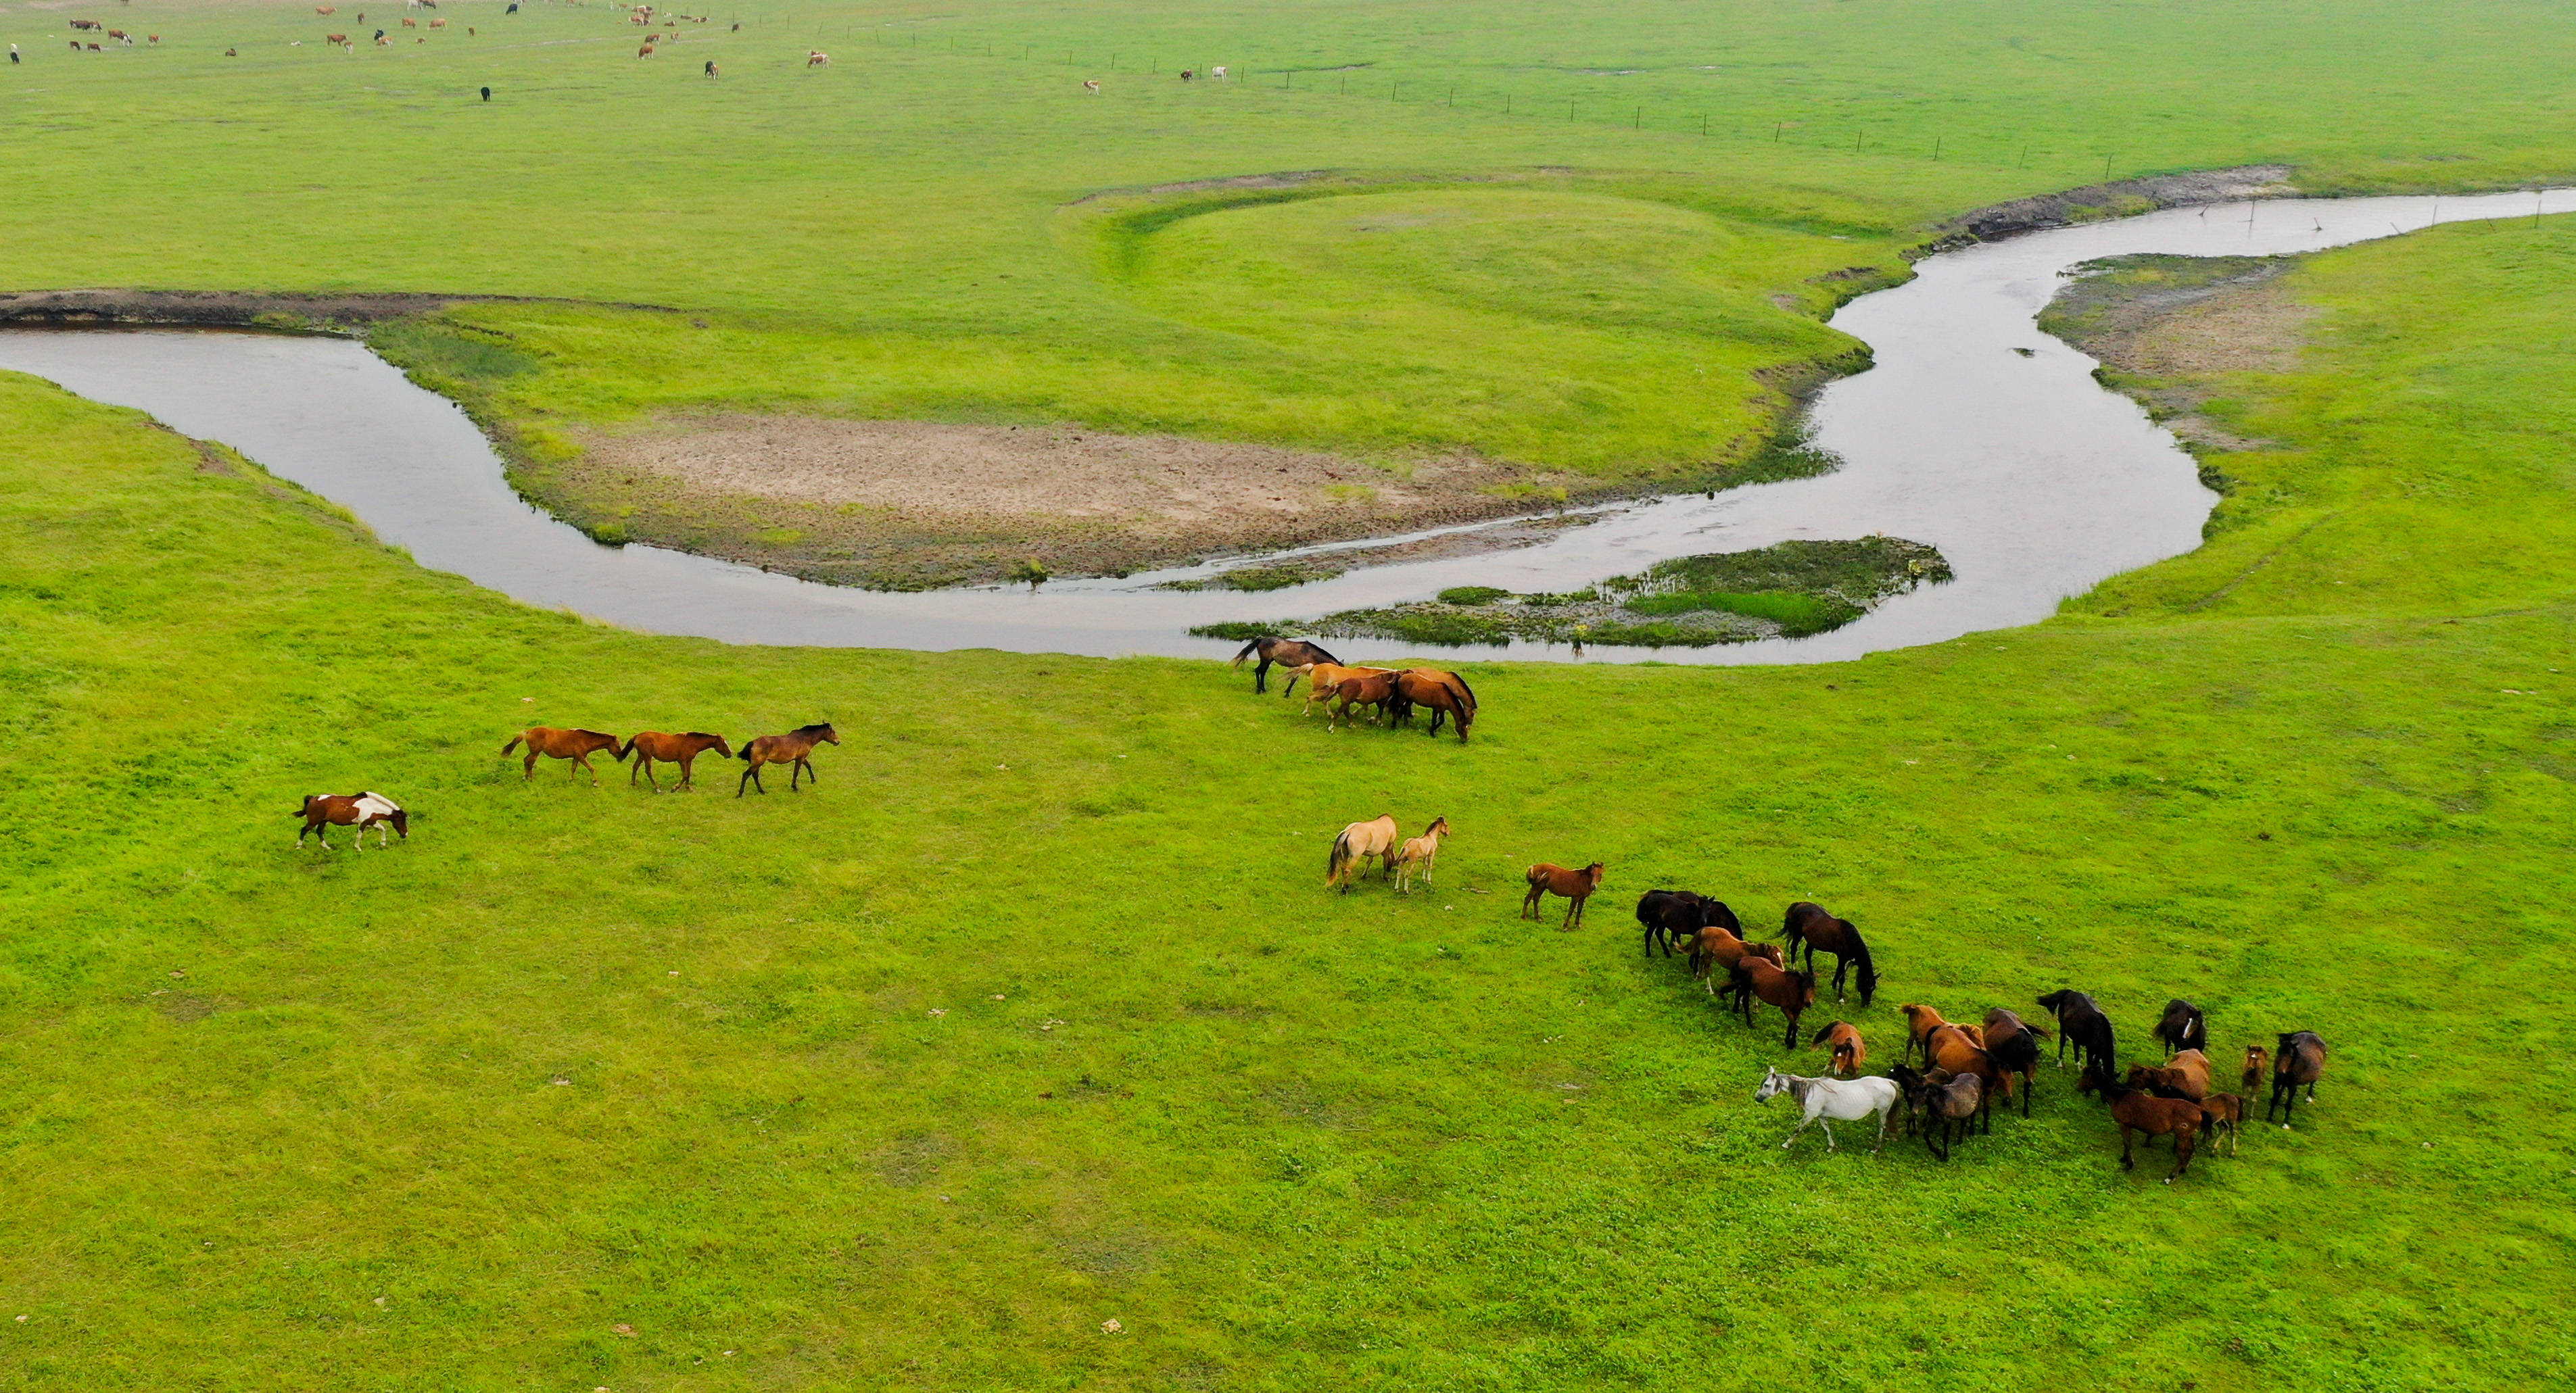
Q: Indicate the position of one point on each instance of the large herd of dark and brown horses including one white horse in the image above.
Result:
(1967, 1065)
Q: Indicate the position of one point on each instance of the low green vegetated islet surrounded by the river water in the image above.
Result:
(1786, 591)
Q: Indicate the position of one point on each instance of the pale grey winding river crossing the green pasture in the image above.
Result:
(2023, 472)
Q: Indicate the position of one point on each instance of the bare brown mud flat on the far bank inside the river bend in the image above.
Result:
(905, 503)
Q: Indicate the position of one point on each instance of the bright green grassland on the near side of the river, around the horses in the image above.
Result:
(1034, 1016)
